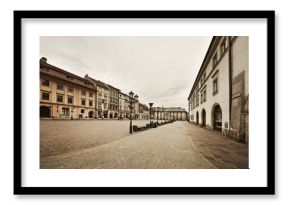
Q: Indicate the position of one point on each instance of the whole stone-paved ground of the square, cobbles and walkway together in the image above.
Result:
(168, 146)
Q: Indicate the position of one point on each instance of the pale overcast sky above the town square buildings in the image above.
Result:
(160, 69)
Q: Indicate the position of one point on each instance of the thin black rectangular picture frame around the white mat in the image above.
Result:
(269, 16)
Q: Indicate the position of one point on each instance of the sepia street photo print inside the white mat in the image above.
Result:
(144, 102)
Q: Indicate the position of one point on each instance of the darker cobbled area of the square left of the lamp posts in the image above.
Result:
(65, 135)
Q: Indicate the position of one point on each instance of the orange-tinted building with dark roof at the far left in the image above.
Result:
(64, 95)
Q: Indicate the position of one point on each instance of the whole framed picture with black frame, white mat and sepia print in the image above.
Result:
(144, 102)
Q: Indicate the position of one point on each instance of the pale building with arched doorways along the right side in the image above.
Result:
(219, 98)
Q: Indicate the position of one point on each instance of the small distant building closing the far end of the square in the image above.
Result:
(169, 113)
